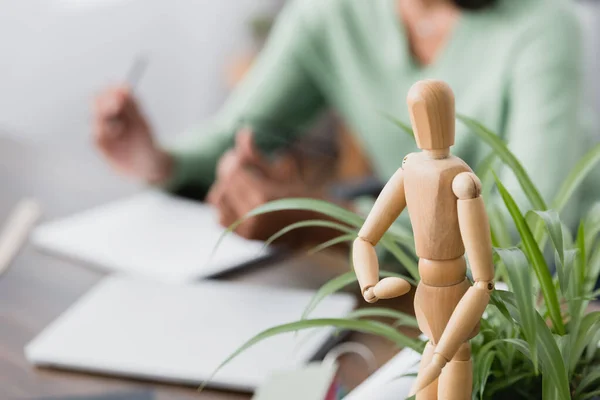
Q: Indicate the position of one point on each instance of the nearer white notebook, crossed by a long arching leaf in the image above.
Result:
(181, 333)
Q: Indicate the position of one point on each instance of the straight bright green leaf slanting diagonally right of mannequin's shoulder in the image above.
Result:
(536, 258)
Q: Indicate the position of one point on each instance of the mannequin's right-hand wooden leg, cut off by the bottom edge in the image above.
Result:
(456, 381)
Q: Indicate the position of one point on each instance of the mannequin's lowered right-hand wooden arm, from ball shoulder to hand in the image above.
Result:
(475, 232)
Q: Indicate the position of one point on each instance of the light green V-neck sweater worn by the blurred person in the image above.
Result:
(515, 67)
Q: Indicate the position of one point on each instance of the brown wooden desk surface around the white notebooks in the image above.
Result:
(67, 177)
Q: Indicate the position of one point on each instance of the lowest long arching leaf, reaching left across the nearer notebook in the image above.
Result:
(373, 327)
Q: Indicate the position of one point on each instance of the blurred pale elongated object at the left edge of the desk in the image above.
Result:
(14, 234)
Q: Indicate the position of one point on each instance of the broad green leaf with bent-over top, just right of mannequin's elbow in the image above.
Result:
(520, 281)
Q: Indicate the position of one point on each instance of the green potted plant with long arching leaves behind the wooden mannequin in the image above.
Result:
(536, 339)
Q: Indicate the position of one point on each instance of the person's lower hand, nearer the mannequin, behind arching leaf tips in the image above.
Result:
(246, 180)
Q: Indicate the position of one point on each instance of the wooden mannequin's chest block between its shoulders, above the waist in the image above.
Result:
(432, 205)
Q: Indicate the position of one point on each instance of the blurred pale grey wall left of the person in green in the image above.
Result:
(55, 54)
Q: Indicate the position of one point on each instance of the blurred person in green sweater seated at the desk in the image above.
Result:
(514, 65)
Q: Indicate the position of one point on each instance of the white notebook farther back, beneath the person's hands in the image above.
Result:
(151, 234)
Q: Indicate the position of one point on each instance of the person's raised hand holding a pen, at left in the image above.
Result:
(123, 136)
